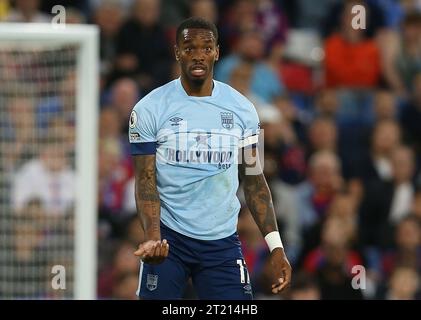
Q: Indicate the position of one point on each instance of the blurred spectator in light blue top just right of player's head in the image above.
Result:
(264, 83)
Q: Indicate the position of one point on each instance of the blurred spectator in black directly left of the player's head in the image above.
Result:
(143, 50)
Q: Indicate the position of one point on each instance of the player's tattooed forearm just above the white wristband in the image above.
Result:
(259, 202)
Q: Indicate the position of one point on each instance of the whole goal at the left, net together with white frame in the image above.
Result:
(48, 114)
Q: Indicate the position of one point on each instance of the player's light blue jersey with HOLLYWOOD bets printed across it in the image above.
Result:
(196, 141)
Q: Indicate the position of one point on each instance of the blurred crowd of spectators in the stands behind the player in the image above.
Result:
(341, 113)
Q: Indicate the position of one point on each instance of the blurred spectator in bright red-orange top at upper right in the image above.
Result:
(351, 60)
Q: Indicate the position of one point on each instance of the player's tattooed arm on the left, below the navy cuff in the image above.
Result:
(146, 195)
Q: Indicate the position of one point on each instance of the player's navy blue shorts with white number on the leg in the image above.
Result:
(216, 267)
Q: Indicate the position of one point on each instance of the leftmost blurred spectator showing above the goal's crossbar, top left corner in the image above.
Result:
(27, 11)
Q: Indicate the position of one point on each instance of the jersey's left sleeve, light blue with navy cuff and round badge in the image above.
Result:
(142, 131)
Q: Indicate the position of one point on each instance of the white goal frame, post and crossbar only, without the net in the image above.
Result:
(85, 38)
